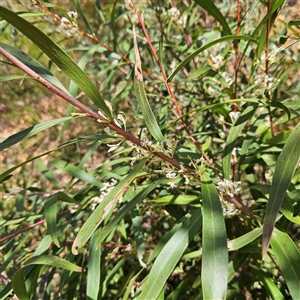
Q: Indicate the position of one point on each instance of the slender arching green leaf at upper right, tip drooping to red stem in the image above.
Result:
(198, 51)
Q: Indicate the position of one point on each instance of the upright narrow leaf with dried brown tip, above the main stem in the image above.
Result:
(141, 95)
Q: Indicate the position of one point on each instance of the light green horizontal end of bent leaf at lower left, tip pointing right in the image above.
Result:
(53, 261)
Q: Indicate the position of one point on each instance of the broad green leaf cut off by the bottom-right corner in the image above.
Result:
(288, 258)
